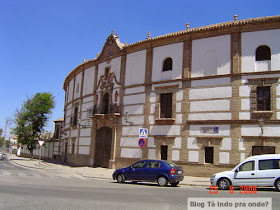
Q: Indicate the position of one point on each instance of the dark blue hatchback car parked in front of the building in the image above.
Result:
(160, 171)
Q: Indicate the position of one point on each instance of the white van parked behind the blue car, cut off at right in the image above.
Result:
(259, 170)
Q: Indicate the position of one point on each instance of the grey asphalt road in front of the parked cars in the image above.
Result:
(22, 188)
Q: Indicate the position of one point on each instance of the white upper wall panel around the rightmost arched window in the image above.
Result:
(251, 41)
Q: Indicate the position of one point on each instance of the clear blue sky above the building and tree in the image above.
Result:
(42, 41)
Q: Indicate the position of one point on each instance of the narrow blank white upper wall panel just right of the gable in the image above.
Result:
(135, 68)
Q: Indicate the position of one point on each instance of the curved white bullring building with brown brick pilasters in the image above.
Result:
(206, 95)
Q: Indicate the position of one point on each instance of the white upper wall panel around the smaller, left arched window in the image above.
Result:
(175, 51)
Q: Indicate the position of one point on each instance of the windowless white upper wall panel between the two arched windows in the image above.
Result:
(211, 56)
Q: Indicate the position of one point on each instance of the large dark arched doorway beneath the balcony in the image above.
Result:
(103, 147)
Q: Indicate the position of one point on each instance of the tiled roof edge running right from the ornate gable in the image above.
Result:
(212, 27)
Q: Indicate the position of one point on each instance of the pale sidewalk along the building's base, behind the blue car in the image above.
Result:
(88, 172)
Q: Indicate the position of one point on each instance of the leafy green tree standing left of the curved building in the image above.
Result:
(31, 119)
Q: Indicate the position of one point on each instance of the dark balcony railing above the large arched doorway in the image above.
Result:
(110, 109)
